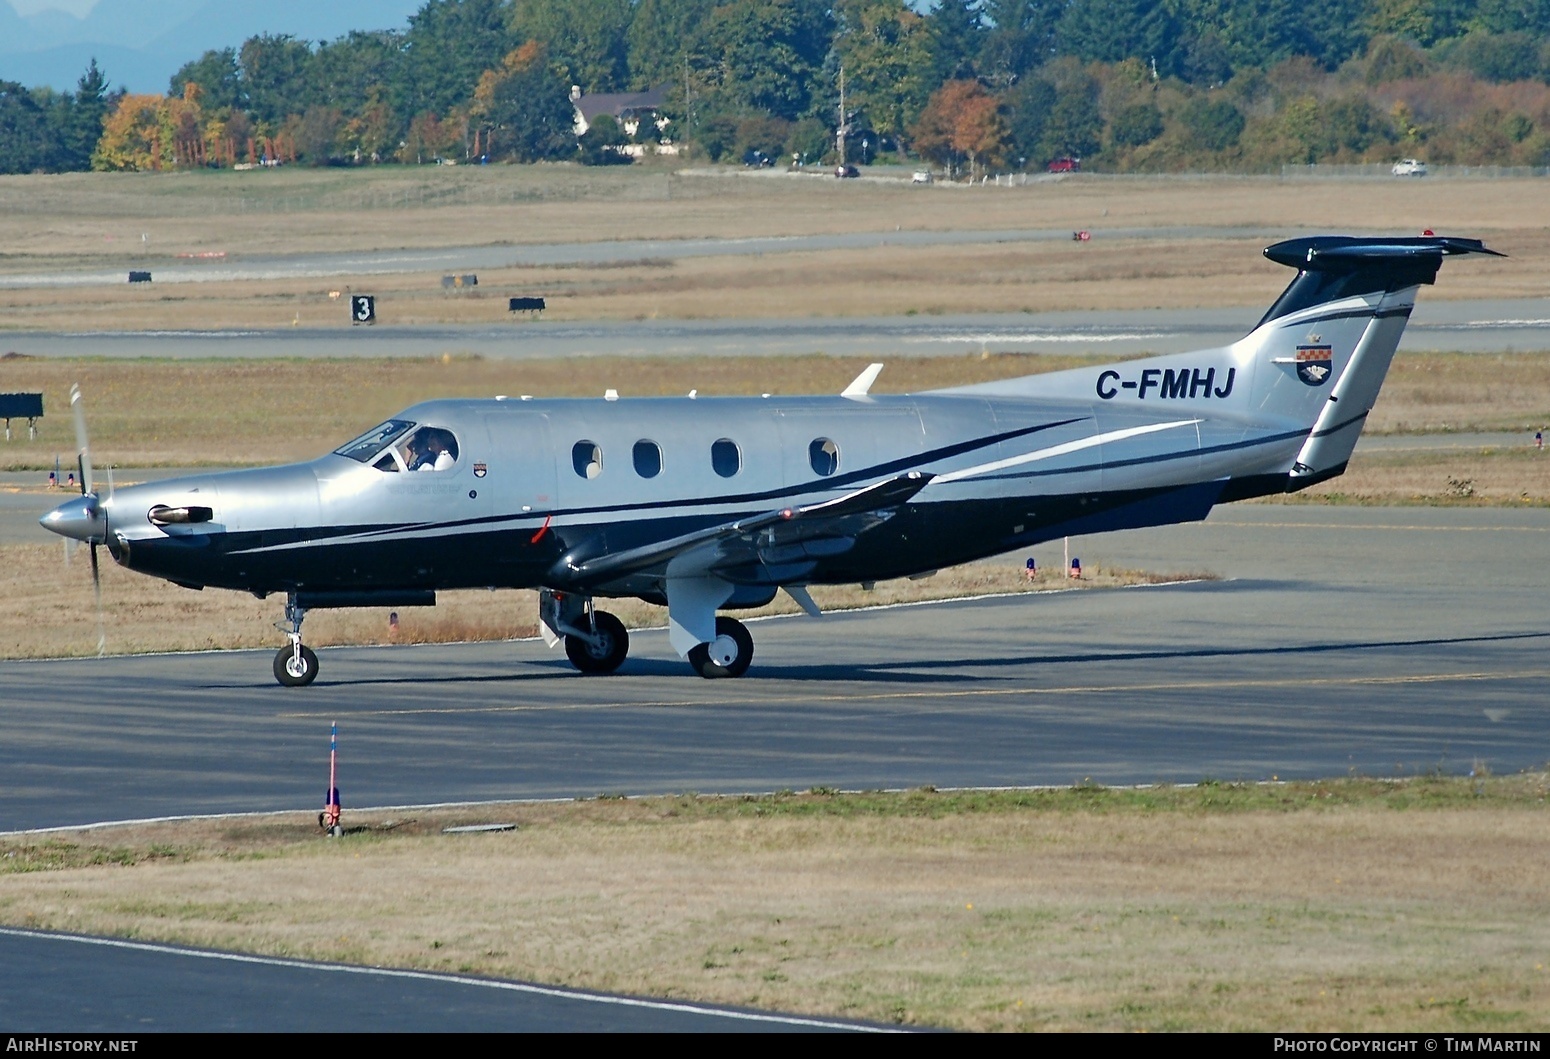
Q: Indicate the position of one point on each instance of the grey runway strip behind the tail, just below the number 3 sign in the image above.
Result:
(1464, 326)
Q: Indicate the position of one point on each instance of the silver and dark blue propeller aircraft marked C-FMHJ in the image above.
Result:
(720, 503)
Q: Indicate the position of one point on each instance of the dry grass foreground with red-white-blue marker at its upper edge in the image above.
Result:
(1072, 912)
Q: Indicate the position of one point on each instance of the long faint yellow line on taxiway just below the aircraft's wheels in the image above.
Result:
(963, 694)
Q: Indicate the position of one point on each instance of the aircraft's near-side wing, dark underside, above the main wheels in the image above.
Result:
(762, 545)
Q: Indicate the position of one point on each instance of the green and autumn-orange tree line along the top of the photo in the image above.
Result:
(968, 85)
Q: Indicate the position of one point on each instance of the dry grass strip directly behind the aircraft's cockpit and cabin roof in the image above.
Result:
(150, 413)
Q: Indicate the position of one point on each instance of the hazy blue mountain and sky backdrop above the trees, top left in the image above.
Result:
(140, 44)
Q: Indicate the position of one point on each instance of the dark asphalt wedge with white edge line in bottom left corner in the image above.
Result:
(125, 988)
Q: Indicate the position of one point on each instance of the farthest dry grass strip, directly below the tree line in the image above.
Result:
(100, 216)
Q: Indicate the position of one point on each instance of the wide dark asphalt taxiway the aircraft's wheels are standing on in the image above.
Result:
(1380, 641)
